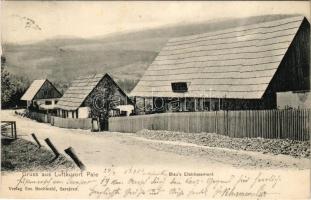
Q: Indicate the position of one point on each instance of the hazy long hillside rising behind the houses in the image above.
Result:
(125, 55)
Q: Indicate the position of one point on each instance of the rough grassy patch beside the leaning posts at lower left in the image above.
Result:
(22, 155)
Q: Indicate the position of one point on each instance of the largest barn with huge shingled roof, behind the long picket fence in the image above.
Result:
(231, 69)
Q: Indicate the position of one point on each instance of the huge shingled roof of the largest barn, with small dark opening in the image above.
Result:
(233, 63)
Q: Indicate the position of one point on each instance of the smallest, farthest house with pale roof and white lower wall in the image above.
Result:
(42, 96)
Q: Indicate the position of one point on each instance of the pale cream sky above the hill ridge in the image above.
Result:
(32, 21)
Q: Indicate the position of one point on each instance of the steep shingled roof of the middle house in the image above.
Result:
(80, 90)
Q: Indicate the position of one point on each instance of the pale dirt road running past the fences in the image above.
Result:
(119, 149)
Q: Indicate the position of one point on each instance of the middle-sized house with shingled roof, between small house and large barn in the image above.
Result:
(91, 97)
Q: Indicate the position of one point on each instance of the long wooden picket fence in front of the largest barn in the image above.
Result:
(292, 124)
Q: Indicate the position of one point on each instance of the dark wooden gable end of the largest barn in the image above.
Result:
(293, 73)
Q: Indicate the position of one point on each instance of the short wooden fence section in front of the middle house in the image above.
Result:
(72, 123)
